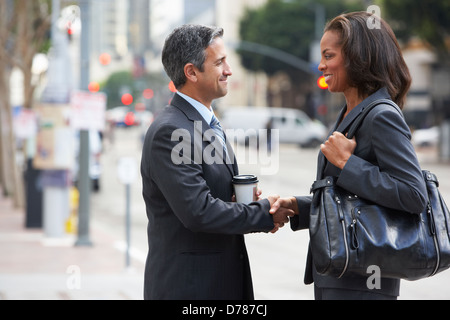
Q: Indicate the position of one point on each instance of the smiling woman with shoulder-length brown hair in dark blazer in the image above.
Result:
(364, 62)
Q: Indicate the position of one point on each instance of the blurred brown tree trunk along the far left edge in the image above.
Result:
(23, 28)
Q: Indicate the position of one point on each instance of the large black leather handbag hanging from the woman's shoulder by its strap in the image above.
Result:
(349, 234)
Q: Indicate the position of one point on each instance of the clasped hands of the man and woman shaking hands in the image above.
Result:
(281, 209)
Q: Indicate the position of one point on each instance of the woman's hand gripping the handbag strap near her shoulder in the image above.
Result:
(338, 149)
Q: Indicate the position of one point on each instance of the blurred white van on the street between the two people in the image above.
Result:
(294, 126)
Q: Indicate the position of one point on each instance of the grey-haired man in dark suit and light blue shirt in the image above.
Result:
(195, 231)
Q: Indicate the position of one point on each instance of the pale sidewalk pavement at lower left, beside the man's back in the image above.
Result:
(33, 267)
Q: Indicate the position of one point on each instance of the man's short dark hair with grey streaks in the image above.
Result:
(187, 44)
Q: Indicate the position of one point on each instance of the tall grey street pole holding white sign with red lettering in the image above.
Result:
(84, 179)
